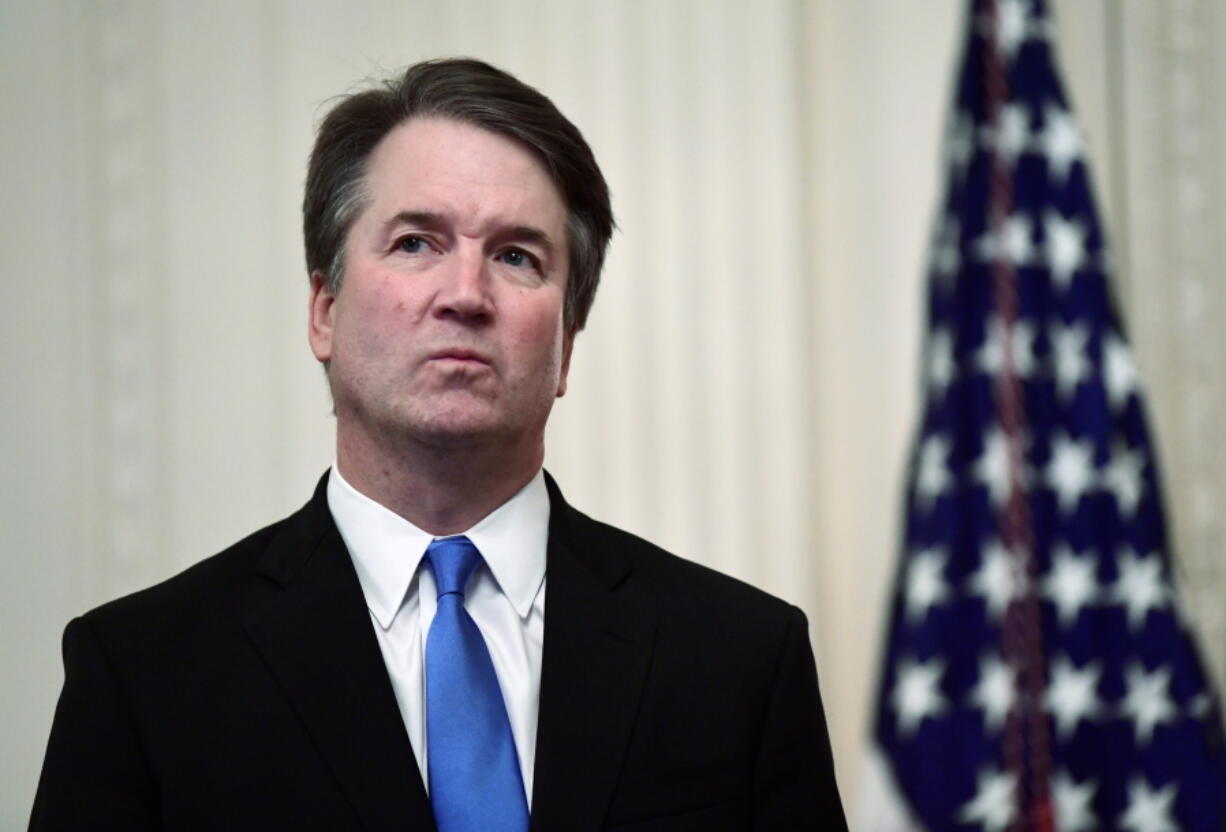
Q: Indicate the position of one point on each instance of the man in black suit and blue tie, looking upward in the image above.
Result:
(384, 659)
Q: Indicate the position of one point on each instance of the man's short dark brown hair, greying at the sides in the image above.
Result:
(474, 94)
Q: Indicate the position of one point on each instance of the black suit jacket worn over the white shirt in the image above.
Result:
(249, 693)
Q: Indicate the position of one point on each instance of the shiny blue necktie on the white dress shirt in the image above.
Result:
(474, 770)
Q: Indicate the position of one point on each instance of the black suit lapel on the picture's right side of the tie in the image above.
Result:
(599, 634)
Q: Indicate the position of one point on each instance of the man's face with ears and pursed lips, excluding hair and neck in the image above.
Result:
(448, 328)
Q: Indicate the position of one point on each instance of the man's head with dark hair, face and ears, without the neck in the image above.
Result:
(455, 229)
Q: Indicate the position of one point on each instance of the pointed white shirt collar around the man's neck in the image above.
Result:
(387, 550)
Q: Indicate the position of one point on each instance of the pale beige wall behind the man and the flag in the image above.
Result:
(746, 390)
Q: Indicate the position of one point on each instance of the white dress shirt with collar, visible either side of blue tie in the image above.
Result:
(506, 599)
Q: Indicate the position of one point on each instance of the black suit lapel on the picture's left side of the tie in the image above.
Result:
(316, 635)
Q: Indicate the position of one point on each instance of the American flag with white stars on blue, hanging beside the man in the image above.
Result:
(1038, 673)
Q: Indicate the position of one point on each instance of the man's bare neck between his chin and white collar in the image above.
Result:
(442, 491)
